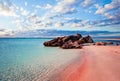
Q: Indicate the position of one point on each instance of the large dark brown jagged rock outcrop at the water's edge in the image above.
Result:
(69, 42)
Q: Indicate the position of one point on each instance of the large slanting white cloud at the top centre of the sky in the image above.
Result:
(62, 7)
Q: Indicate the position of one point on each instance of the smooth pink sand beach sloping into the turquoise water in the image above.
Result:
(99, 63)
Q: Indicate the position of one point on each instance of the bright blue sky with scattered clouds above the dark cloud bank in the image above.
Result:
(88, 15)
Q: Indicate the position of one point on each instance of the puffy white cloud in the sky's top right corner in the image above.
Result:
(114, 6)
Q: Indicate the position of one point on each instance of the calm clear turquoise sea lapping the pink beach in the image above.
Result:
(26, 59)
